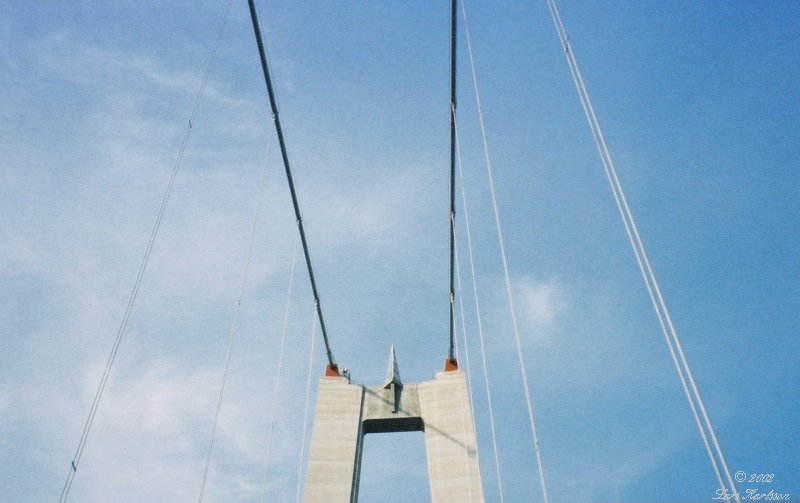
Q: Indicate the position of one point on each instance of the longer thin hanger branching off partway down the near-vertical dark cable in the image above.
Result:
(479, 320)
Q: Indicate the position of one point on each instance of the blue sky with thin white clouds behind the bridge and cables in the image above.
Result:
(699, 103)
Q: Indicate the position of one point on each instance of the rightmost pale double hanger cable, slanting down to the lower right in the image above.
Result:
(654, 291)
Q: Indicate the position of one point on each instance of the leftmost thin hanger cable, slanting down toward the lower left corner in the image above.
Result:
(142, 267)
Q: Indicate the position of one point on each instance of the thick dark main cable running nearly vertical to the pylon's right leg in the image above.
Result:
(451, 352)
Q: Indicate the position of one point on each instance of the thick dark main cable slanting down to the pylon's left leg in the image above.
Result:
(290, 179)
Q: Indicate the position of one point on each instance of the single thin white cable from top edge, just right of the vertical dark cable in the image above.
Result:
(512, 310)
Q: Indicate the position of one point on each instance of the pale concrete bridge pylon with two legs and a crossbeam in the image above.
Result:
(346, 412)
